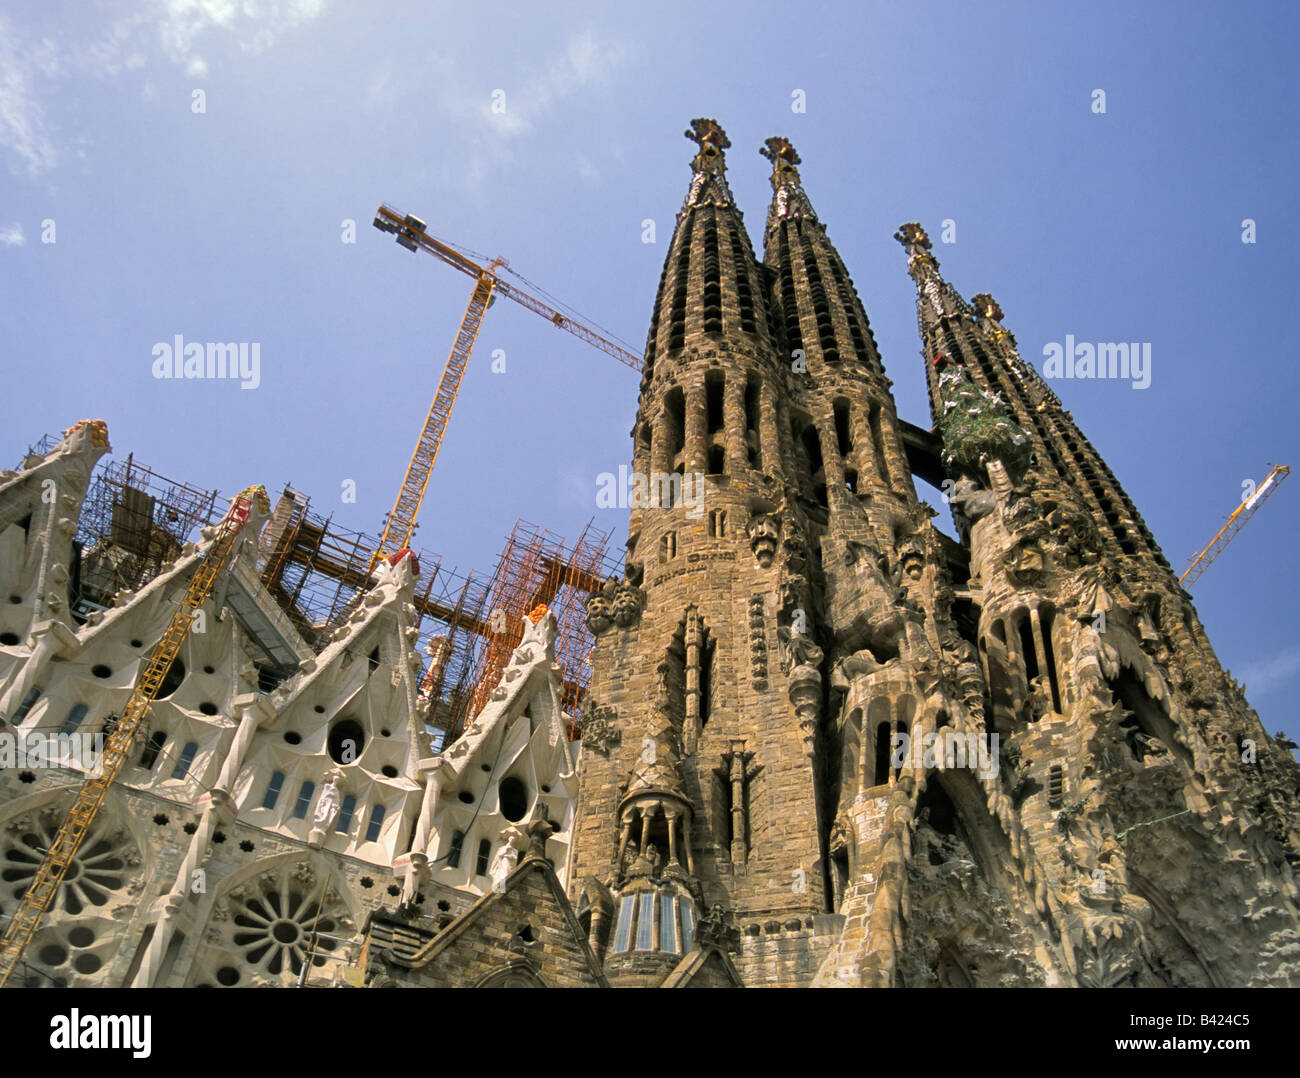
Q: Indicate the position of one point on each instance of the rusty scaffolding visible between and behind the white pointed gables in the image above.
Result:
(136, 522)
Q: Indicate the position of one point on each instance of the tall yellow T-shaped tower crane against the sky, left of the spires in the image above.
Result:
(411, 233)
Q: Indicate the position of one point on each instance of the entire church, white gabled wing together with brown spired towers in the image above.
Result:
(824, 743)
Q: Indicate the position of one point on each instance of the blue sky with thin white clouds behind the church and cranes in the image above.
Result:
(227, 226)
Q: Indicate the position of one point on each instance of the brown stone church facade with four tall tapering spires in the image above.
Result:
(835, 747)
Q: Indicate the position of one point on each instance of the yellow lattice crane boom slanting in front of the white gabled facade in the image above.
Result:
(53, 871)
